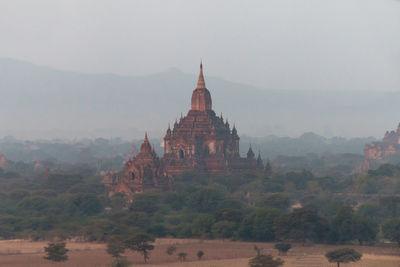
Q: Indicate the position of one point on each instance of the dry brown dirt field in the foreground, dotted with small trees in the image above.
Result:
(21, 253)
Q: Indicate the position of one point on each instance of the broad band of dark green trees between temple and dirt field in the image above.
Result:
(295, 206)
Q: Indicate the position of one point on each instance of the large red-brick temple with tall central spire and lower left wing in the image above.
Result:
(200, 141)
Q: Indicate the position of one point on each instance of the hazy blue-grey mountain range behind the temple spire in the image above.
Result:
(39, 101)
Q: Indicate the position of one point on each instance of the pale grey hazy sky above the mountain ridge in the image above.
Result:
(277, 44)
